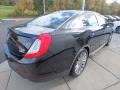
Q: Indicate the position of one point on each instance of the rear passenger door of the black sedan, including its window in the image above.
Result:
(94, 39)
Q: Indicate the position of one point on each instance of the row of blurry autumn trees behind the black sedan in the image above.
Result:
(35, 7)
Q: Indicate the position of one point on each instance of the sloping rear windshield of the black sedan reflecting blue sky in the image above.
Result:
(53, 20)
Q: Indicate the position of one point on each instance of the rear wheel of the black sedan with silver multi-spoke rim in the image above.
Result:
(80, 63)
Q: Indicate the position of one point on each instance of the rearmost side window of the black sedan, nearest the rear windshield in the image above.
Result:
(76, 23)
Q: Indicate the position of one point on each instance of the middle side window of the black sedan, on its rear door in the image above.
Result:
(92, 20)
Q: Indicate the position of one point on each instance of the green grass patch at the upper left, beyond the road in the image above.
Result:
(5, 11)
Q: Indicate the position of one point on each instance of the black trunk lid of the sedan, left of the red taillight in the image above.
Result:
(20, 39)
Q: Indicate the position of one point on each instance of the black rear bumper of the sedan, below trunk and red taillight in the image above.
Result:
(56, 66)
